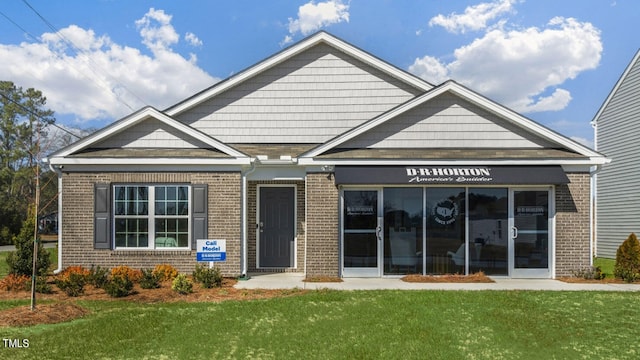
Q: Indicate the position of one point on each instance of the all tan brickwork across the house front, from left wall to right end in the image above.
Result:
(319, 236)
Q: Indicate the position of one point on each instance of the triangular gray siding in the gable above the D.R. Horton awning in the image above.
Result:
(447, 122)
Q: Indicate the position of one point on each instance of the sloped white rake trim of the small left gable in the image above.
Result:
(136, 118)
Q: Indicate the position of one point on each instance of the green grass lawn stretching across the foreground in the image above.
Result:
(350, 325)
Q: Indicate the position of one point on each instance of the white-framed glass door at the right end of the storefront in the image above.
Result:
(531, 234)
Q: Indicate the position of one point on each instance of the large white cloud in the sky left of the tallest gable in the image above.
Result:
(105, 80)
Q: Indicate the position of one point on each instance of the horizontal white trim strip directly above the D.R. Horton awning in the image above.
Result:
(374, 162)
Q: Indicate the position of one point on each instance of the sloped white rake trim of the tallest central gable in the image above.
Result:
(289, 53)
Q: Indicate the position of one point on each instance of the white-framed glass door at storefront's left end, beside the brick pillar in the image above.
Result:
(360, 233)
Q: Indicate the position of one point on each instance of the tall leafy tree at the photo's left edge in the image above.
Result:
(23, 121)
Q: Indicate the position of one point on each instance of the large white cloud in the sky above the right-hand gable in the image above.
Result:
(517, 67)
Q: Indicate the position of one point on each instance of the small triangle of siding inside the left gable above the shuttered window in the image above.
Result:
(151, 134)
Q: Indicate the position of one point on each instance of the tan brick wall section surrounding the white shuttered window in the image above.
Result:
(78, 230)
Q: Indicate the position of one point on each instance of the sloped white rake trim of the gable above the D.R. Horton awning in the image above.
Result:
(473, 97)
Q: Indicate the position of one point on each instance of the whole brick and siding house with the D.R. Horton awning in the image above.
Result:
(325, 160)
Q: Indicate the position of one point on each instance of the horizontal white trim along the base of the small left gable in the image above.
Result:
(148, 161)
